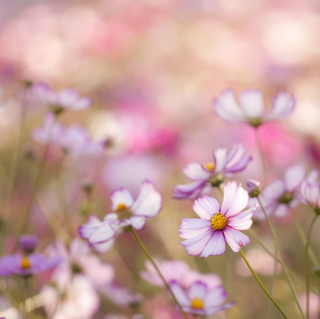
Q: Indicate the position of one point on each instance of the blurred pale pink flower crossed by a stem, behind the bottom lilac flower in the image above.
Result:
(180, 272)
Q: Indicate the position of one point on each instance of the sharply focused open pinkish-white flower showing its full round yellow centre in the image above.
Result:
(207, 236)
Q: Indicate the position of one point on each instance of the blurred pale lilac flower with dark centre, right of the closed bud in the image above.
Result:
(280, 196)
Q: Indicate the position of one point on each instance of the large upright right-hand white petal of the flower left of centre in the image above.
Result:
(148, 202)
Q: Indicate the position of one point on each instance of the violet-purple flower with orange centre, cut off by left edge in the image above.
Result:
(26, 265)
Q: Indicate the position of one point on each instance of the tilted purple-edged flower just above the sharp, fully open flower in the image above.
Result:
(212, 174)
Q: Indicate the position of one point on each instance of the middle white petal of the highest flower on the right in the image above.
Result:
(252, 103)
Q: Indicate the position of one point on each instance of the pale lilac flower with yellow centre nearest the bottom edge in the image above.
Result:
(199, 299)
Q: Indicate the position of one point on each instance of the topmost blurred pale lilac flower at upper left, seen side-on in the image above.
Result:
(58, 102)
